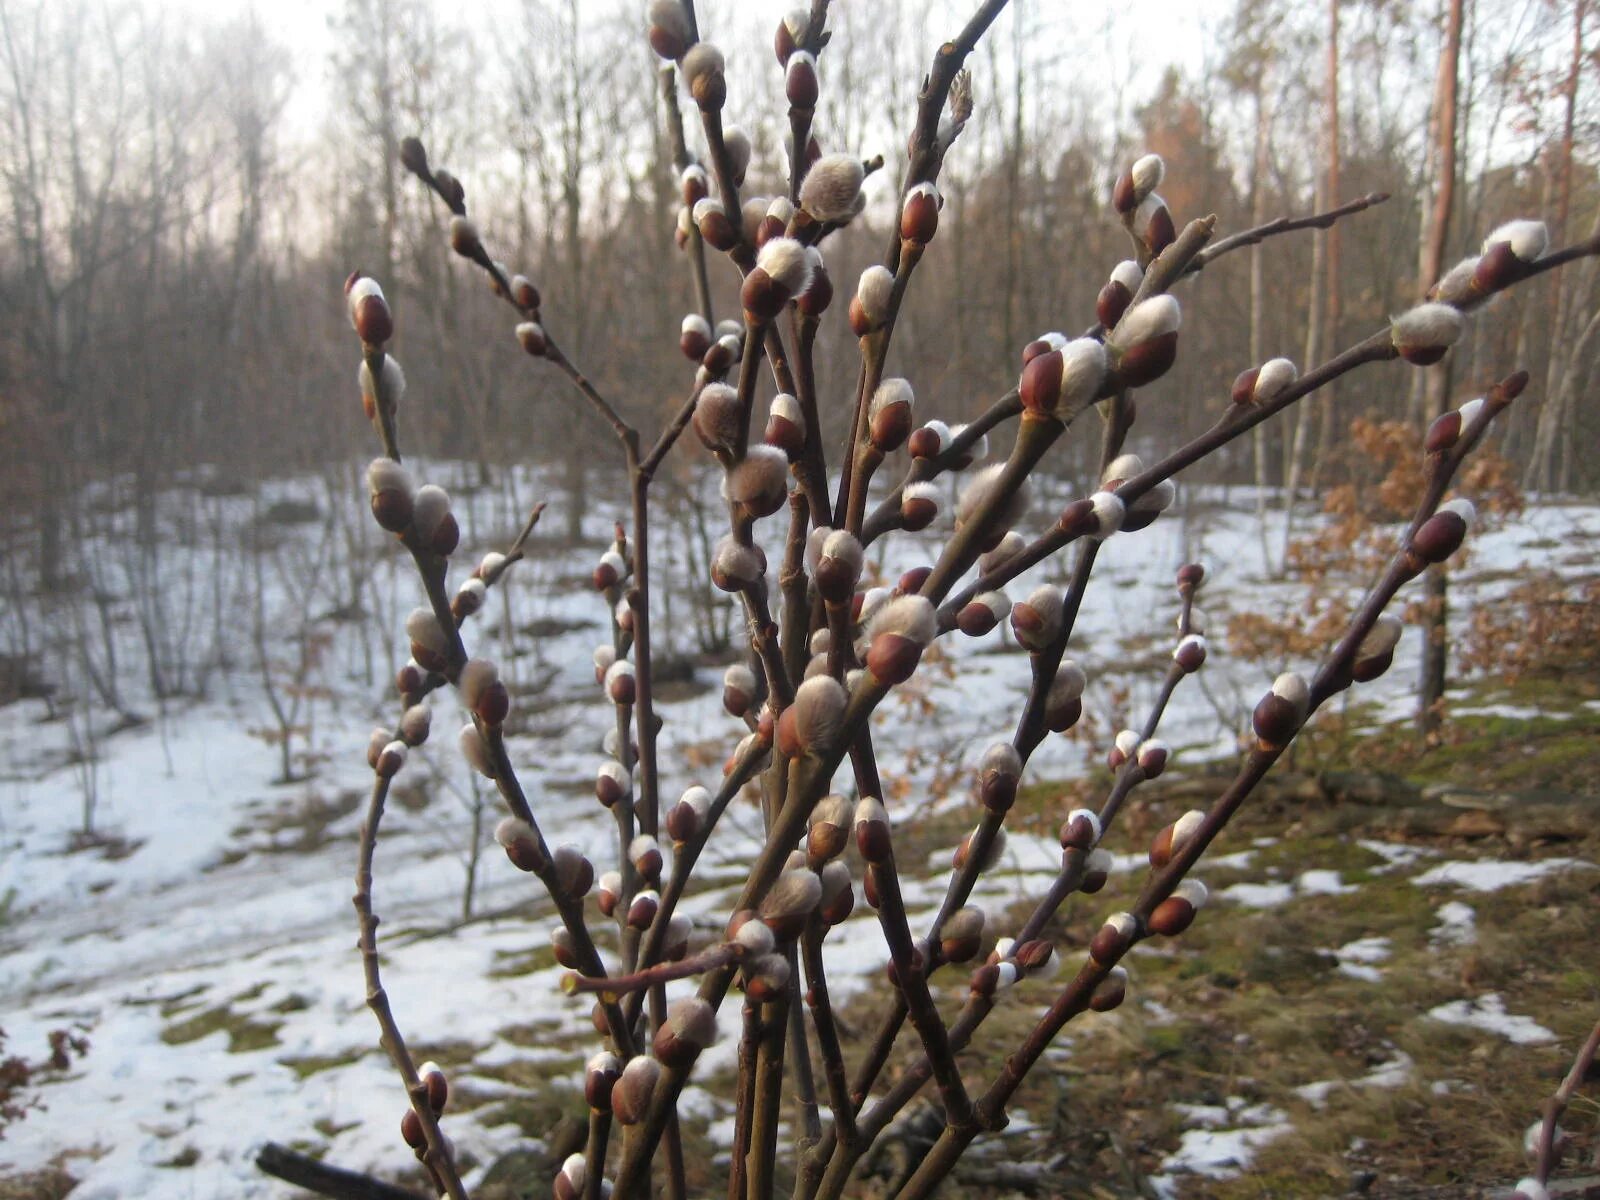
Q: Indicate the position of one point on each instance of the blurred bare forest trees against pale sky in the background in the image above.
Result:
(174, 236)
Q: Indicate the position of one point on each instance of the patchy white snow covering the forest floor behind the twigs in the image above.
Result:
(209, 948)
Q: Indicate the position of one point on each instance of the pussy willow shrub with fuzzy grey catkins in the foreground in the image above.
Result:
(831, 655)
